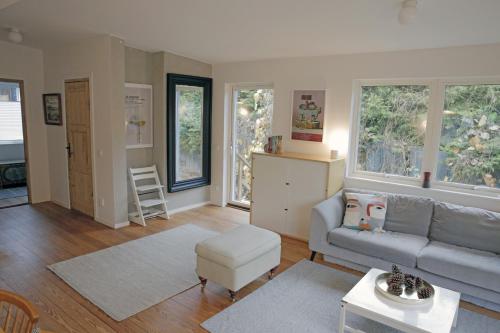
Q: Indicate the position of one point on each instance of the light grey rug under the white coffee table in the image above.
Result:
(306, 299)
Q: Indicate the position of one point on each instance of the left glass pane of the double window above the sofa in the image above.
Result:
(392, 129)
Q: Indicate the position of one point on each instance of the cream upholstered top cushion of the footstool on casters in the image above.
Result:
(238, 246)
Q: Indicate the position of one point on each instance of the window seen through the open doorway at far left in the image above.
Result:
(11, 124)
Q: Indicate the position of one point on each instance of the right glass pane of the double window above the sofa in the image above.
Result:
(469, 152)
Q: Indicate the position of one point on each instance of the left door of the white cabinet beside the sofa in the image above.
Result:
(268, 205)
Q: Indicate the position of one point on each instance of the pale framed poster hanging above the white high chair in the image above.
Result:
(139, 115)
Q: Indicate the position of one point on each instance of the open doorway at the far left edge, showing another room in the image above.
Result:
(14, 184)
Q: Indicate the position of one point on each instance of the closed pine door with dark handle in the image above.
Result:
(77, 101)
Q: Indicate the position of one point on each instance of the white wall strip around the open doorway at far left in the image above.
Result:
(24, 63)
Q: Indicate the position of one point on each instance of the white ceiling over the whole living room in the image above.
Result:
(217, 31)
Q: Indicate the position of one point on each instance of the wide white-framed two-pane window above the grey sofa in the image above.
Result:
(451, 129)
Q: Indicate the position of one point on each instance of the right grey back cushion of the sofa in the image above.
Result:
(466, 226)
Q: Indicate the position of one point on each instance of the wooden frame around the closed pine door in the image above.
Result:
(89, 79)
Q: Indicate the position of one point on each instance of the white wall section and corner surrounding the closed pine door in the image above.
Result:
(102, 60)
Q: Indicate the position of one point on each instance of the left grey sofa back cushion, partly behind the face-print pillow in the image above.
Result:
(406, 213)
